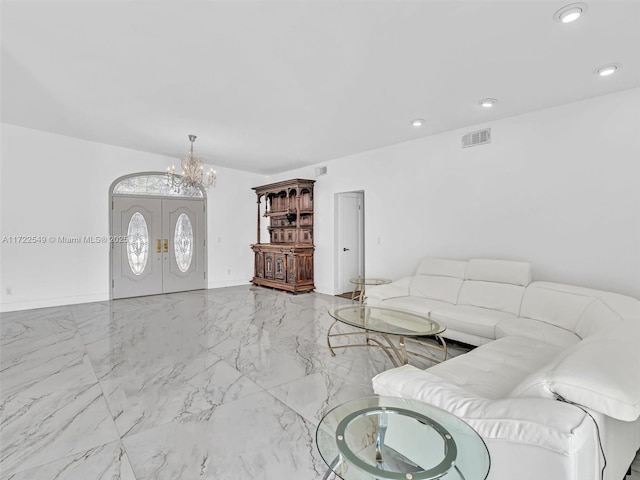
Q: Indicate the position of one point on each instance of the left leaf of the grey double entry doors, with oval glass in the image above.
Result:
(136, 263)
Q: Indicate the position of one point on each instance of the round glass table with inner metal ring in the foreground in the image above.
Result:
(386, 438)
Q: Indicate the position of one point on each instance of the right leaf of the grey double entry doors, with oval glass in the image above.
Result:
(184, 263)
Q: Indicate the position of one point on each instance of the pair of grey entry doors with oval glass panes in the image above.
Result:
(159, 246)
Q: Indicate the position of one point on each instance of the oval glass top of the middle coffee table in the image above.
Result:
(386, 320)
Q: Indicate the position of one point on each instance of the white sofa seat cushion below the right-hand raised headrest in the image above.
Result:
(470, 319)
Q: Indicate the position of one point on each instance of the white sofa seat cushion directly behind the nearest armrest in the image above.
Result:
(493, 370)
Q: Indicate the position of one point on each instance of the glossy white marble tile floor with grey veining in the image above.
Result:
(213, 384)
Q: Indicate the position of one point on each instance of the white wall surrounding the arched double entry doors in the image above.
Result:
(55, 185)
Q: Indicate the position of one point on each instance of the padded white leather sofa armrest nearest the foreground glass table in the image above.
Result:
(542, 422)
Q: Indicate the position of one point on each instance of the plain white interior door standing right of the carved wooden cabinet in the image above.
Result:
(350, 238)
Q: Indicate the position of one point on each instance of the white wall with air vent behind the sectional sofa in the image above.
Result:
(558, 187)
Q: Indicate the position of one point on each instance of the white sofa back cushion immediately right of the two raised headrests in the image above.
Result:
(551, 304)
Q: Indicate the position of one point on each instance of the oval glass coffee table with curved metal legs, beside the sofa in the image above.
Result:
(380, 326)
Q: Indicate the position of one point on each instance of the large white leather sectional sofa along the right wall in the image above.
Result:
(554, 385)
